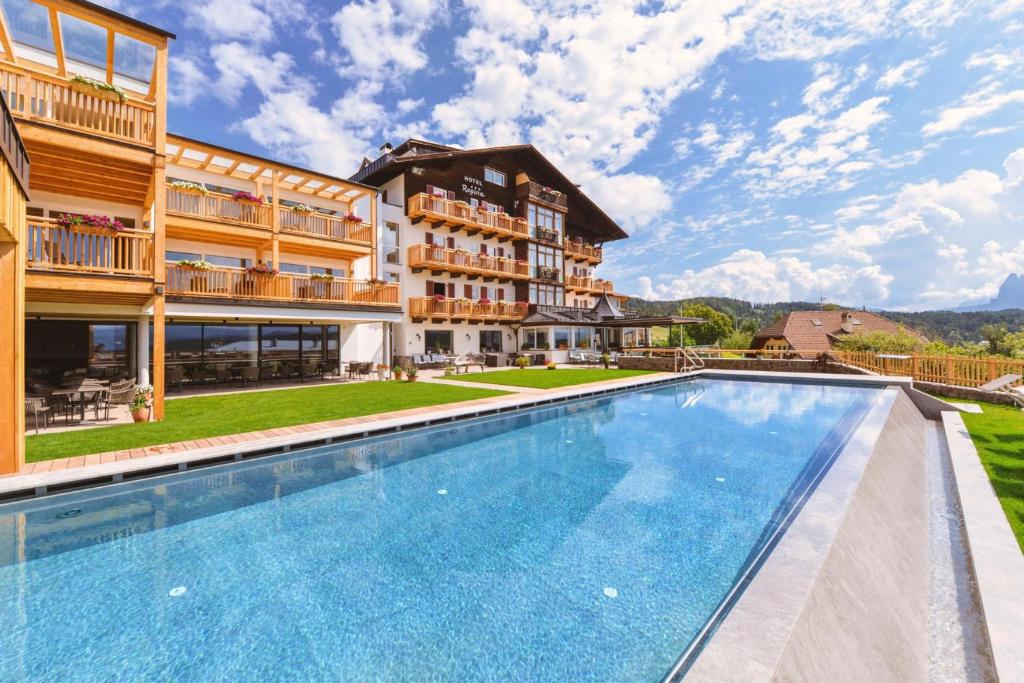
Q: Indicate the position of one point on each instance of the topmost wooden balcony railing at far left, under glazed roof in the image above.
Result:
(58, 101)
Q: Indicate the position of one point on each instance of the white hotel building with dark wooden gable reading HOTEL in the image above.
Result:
(480, 240)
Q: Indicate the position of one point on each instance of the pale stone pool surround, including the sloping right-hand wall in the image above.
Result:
(837, 530)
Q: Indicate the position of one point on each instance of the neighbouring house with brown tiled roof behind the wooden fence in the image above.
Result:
(808, 333)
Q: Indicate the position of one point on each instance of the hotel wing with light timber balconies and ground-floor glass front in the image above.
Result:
(154, 257)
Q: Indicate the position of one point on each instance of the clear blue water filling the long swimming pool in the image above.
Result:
(586, 542)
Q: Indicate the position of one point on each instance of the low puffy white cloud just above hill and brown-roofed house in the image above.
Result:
(756, 277)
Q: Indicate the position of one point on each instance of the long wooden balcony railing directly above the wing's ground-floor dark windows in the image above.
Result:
(236, 284)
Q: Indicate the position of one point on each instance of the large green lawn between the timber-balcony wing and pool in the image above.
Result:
(203, 417)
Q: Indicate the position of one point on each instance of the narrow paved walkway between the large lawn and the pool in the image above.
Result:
(63, 471)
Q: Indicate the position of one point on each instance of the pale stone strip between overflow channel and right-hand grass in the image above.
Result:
(995, 553)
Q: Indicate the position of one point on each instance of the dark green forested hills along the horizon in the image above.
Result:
(950, 327)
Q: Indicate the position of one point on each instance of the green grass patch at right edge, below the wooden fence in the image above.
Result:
(999, 436)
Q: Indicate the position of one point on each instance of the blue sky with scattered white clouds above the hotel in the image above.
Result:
(869, 150)
